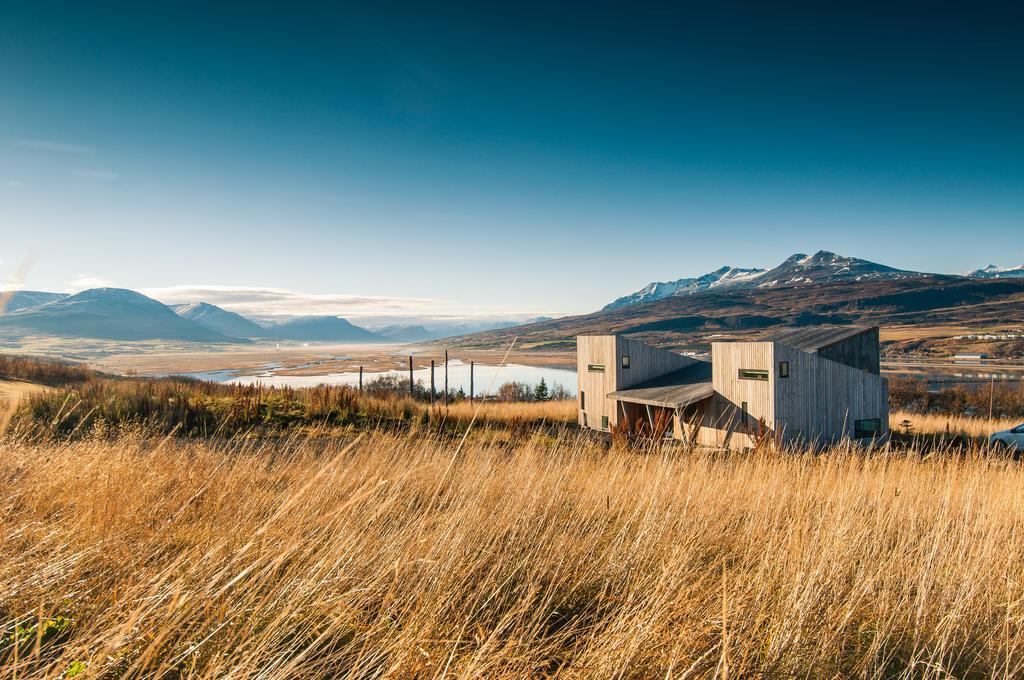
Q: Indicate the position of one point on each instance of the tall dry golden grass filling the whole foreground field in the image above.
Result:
(401, 556)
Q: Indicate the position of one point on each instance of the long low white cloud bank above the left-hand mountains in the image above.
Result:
(276, 303)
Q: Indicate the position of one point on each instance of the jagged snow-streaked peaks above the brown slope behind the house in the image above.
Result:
(798, 270)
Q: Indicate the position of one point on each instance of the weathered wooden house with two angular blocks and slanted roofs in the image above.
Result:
(808, 385)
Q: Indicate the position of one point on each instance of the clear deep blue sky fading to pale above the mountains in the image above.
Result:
(527, 159)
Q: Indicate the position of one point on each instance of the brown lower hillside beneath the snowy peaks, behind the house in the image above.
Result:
(684, 321)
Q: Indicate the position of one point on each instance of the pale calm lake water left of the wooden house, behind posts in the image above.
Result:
(487, 378)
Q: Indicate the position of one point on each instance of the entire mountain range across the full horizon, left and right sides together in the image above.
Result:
(846, 290)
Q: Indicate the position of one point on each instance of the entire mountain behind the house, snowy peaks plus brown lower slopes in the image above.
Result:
(824, 288)
